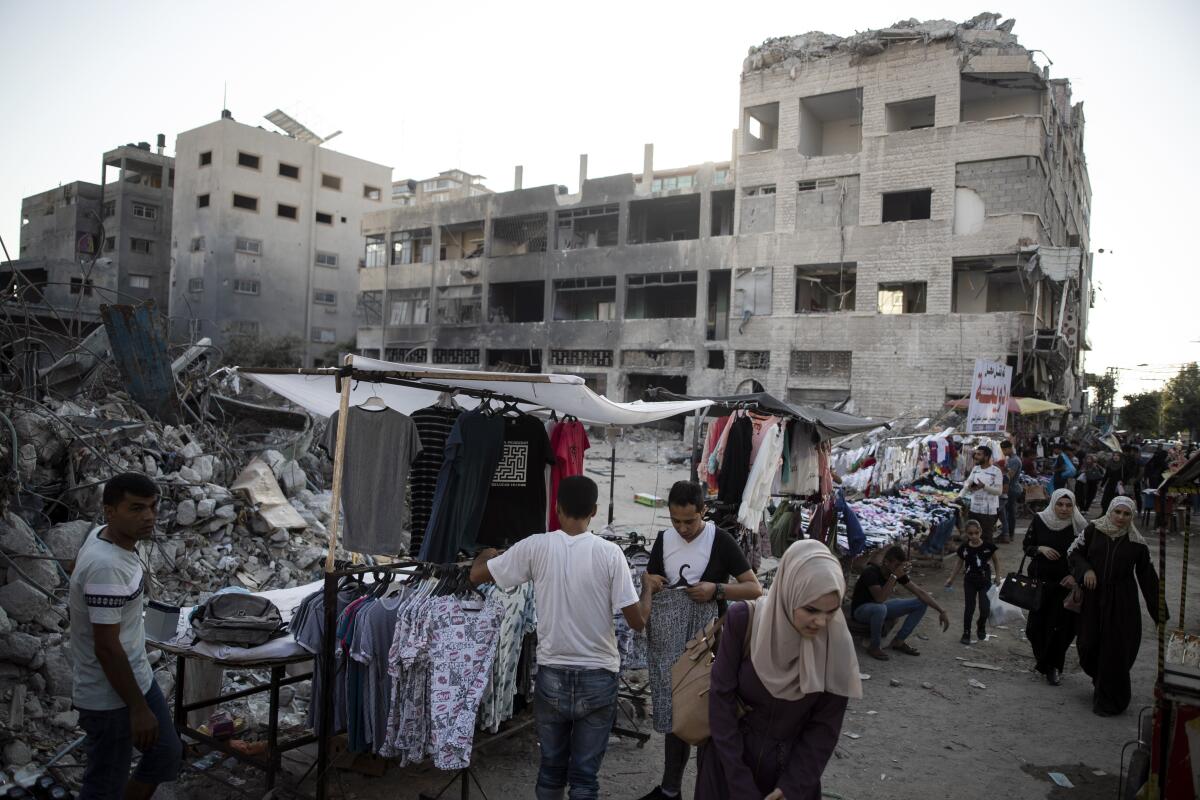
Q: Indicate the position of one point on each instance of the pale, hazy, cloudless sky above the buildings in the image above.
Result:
(427, 87)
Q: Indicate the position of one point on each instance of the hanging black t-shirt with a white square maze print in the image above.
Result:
(517, 501)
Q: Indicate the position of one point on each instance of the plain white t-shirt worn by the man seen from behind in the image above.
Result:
(580, 582)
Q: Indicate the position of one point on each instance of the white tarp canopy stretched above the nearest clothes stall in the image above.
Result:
(559, 393)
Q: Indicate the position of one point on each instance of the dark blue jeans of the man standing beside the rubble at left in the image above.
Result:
(110, 748)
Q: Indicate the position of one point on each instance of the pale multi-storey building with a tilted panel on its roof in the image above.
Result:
(268, 237)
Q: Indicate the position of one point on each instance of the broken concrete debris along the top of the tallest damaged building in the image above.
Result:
(982, 32)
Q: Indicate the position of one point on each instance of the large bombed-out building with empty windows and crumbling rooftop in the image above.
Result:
(897, 204)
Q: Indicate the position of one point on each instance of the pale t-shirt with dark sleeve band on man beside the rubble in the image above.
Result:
(106, 590)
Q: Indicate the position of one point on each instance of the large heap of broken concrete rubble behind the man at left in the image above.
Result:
(232, 513)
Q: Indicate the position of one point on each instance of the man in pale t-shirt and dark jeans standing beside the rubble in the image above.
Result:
(119, 702)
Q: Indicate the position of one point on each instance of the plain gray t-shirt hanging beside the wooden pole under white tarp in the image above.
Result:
(381, 448)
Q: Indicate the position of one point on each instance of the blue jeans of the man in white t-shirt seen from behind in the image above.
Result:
(574, 712)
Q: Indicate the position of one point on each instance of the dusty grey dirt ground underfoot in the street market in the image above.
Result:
(949, 741)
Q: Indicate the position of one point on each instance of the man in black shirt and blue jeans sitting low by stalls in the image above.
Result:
(873, 603)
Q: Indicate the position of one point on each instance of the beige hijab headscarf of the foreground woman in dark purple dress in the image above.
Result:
(789, 664)
